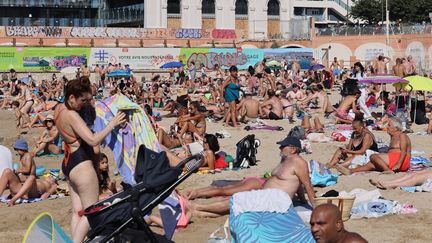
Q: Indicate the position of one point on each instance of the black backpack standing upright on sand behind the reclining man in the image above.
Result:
(246, 151)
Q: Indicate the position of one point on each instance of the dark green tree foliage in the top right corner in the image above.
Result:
(373, 11)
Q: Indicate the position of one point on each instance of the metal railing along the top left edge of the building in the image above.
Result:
(51, 3)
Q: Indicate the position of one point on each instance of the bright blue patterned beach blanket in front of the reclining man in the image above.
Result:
(269, 227)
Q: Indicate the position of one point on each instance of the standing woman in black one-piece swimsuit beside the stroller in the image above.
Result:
(78, 146)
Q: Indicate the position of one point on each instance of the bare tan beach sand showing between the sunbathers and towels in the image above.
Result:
(392, 228)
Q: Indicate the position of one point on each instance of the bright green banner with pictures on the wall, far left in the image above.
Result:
(31, 59)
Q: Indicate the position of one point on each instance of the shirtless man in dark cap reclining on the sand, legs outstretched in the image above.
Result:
(289, 176)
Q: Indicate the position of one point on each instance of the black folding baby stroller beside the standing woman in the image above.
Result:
(120, 218)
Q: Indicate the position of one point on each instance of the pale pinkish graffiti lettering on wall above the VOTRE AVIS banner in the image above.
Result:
(98, 32)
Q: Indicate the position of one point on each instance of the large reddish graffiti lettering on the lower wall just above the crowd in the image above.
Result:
(222, 59)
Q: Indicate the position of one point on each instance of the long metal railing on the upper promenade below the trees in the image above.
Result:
(346, 30)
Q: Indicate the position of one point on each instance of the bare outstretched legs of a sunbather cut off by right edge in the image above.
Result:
(410, 179)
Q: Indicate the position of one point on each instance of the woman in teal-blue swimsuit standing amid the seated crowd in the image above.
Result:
(231, 92)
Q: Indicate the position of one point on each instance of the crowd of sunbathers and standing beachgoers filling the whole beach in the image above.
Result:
(65, 110)
